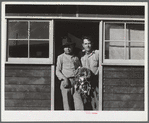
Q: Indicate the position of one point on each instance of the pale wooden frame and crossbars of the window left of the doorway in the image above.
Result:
(28, 60)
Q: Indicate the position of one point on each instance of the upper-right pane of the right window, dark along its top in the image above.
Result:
(135, 32)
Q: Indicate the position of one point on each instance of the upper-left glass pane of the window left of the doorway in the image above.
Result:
(17, 30)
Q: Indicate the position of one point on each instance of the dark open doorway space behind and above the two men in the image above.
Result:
(75, 30)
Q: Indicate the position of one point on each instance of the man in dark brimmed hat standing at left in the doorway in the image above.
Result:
(67, 64)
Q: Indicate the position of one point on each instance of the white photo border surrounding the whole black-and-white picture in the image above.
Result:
(52, 115)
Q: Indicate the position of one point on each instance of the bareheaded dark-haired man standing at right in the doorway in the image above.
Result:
(90, 60)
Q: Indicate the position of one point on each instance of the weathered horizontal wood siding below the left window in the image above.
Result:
(28, 87)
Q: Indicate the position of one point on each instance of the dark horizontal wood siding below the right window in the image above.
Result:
(123, 88)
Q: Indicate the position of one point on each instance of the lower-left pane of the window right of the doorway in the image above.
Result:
(114, 50)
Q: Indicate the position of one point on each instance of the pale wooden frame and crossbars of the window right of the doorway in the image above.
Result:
(122, 61)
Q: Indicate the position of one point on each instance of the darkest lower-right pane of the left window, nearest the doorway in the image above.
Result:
(39, 49)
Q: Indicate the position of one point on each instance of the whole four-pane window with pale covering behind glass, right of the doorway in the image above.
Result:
(123, 42)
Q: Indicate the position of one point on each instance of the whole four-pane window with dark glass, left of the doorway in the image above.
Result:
(30, 41)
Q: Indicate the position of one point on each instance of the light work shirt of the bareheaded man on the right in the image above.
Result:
(91, 61)
